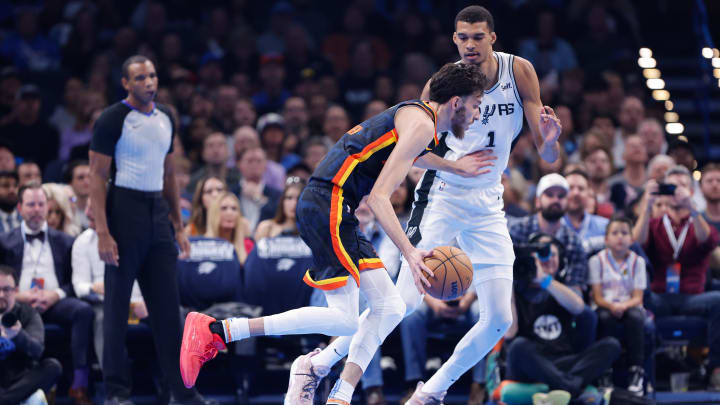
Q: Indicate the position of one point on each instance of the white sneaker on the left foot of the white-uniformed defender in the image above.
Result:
(304, 379)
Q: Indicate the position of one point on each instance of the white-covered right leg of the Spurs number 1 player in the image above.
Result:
(495, 318)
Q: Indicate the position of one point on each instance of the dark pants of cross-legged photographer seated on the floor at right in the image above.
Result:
(572, 372)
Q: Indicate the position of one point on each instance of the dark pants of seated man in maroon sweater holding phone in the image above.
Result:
(706, 305)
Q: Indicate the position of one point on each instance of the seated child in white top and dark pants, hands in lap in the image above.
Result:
(618, 278)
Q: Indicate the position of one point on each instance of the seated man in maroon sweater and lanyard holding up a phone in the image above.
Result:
(679, 244)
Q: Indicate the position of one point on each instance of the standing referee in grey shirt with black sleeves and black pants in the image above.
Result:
(137, 219)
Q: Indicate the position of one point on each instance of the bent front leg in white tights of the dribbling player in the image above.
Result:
(386, 310)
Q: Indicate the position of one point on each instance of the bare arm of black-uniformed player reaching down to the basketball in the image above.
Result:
(415, 130)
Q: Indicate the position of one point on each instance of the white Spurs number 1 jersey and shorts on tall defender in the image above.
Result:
(468, 212)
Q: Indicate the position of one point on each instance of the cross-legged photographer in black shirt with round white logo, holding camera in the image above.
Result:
(543, 311)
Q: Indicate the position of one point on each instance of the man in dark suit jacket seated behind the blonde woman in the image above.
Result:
(258, 201)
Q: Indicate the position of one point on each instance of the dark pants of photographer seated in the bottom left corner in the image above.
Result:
(42, 376)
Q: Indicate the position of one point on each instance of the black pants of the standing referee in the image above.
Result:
(139, 223)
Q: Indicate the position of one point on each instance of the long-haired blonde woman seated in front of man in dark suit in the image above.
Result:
(225, 221)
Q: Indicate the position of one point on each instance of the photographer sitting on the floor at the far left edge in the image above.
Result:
(21, 345)
